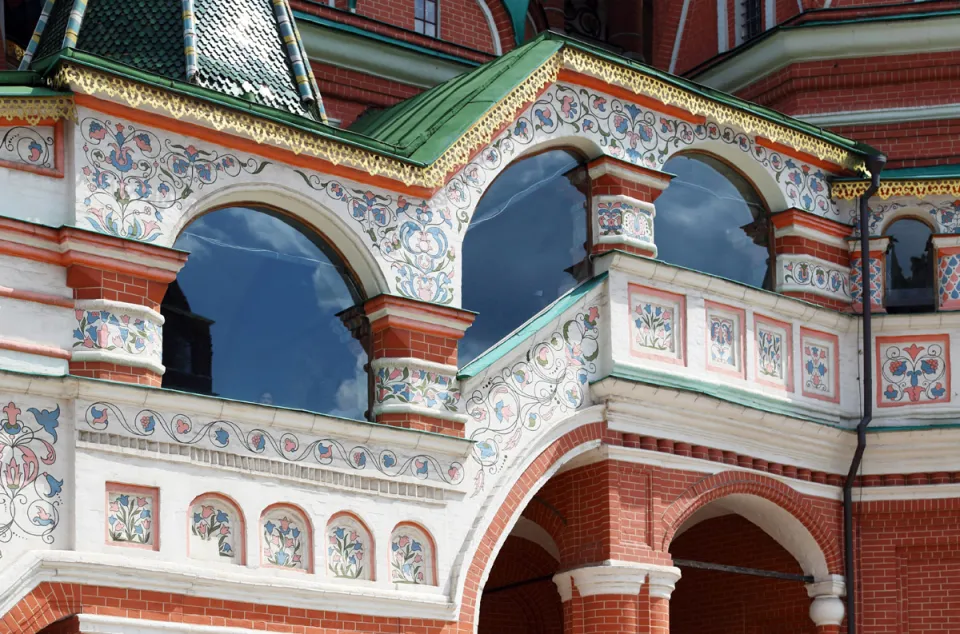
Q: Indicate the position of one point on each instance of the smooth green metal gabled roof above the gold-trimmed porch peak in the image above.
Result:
(425, 126)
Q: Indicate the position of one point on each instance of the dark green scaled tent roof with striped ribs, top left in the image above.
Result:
(240, 47)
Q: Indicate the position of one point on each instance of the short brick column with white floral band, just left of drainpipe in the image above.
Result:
(813, 260)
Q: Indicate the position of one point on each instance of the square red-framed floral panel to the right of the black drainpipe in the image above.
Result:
(919, 373)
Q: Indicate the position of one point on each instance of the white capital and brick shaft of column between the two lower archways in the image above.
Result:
(612, 598)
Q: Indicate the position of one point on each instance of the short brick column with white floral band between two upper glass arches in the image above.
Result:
(622, 209)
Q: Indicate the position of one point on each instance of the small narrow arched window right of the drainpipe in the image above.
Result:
(909, 278)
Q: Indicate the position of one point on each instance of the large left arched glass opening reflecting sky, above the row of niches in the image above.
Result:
(252, 316)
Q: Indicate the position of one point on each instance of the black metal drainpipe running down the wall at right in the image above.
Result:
(875, 164)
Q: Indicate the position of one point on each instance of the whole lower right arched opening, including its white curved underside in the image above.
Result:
(744, 563)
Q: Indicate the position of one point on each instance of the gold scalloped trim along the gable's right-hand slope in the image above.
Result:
(638, 82)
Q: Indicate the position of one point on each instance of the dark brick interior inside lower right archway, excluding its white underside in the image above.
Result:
(709, 601)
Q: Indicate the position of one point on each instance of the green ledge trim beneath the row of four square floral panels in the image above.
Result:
(726, 393)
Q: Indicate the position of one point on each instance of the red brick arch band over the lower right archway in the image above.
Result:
(732, 483)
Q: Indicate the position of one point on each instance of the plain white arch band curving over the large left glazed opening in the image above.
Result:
(368, 270)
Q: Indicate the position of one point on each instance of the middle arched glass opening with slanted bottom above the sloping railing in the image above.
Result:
(526, 245)
